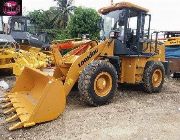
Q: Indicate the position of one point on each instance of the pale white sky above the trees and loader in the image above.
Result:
(165, 13)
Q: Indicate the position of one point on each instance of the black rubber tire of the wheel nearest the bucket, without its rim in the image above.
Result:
(87, 79)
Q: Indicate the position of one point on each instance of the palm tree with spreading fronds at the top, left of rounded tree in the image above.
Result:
(64, 9)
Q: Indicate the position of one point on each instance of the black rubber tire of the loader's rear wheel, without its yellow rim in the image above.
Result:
(150, 68)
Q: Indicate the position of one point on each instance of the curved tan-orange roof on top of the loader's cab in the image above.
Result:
(120, 6)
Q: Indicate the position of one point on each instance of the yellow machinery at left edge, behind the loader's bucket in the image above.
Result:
(15, 59)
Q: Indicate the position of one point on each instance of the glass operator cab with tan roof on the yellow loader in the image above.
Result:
(128, 25)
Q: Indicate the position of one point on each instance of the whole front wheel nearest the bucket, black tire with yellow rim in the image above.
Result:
(98, 83)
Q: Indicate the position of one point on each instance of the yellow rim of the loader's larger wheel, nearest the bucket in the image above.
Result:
(103, 84)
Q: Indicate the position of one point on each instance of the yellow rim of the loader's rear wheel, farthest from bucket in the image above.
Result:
(157, 78)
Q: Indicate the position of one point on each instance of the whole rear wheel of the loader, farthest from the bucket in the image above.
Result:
(153, 77)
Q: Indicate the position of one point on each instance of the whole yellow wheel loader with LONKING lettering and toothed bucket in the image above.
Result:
(127, 55)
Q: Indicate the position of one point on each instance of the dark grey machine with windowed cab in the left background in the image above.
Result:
(25, 32)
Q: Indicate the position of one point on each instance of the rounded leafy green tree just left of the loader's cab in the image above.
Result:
(84, 21)
